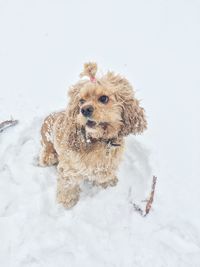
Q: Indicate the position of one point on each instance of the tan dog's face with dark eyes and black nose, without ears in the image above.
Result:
(100, 113)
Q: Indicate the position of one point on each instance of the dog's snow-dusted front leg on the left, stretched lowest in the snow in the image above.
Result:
(68, 189)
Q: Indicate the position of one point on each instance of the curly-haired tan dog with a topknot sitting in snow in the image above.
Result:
(87, 140)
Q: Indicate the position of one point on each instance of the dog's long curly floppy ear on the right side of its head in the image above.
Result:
(133, 115)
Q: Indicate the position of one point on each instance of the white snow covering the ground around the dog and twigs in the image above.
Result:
(155, 44)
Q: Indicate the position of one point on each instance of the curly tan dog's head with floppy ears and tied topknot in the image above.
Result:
(106, 107)
